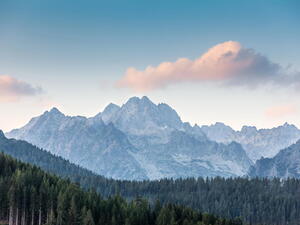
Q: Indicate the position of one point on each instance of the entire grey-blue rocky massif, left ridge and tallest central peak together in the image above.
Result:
(139, 140)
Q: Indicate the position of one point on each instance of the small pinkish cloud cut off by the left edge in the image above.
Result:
(12, 89)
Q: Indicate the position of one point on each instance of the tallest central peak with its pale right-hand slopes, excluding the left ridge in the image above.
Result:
(170, 148)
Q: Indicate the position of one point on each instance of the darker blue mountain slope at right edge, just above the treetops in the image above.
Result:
(285, 164)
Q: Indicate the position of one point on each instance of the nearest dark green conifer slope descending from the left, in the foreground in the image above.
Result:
(30, 196)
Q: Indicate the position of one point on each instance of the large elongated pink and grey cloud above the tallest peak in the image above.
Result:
(226, 63)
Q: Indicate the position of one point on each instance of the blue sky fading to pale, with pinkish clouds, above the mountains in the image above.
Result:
(231, 61)
